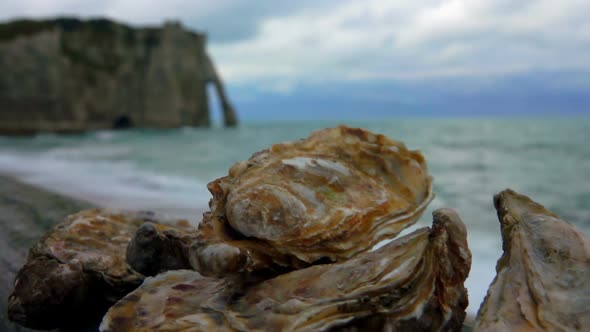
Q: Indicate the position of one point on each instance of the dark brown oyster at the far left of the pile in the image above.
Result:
(76, 271)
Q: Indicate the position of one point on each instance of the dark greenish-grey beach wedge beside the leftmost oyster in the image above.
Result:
(26, 213)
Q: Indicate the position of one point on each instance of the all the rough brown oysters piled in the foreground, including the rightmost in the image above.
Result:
(288, 245)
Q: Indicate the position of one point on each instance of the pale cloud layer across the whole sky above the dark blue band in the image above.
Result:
(279, 45)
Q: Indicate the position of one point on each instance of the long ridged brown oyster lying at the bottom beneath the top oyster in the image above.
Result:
(414, 283)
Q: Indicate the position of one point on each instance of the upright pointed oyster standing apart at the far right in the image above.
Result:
(543, 277)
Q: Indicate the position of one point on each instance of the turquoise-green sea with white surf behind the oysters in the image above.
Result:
(470, 159)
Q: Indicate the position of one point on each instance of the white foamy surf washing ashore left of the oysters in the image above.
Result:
(115, 184)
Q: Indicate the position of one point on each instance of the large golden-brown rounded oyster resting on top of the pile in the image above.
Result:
(328, 197)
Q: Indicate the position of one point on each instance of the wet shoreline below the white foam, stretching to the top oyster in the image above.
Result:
(28, 210)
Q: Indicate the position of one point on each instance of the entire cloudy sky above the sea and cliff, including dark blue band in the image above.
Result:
(376, 58)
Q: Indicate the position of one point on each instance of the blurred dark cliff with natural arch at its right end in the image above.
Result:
(68, 75)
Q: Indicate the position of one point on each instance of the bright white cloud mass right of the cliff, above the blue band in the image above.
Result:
(408, 40)
